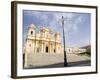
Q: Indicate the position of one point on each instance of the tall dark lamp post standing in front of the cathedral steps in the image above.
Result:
(65, 57)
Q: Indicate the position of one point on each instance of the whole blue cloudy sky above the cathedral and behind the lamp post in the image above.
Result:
(77, 25)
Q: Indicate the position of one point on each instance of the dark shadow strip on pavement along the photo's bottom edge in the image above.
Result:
(70, 64)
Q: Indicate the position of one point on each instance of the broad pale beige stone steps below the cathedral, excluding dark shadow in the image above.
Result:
(44, 59)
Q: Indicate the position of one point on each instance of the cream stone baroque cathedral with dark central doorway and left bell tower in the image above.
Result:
(43, 41)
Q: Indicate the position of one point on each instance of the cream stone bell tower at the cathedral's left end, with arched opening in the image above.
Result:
(29, 46)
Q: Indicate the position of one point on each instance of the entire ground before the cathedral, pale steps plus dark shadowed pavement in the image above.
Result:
(38, 60)
